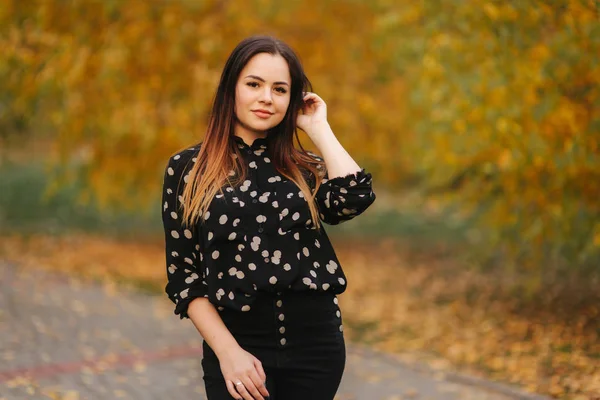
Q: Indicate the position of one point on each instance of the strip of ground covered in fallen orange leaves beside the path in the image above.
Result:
(424, 307)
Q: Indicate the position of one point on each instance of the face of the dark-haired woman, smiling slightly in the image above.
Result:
(262, 92)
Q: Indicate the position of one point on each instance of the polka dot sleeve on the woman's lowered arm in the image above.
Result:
(185, 274)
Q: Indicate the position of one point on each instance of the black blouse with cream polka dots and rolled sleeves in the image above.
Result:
(256, 237)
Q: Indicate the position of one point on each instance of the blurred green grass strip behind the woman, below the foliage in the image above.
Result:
(25, 209)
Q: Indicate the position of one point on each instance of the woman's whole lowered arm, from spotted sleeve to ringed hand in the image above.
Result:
(188, 289)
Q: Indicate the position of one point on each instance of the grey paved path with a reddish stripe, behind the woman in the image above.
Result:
(64, 339)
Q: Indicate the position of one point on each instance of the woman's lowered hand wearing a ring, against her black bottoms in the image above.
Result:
(244, 375)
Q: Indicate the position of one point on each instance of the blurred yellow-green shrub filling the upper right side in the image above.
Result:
(505, 110)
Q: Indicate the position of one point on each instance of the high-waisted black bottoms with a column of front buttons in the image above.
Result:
(298, 337)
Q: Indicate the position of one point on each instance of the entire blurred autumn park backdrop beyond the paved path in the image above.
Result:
(480, 122)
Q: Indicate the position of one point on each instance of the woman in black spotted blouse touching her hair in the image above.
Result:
(248, 260)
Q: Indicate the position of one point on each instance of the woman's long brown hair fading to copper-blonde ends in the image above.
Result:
(219, 154)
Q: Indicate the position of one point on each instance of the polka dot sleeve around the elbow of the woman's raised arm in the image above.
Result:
(342, 198)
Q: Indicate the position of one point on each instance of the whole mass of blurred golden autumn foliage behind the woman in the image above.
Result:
(493, 106)
